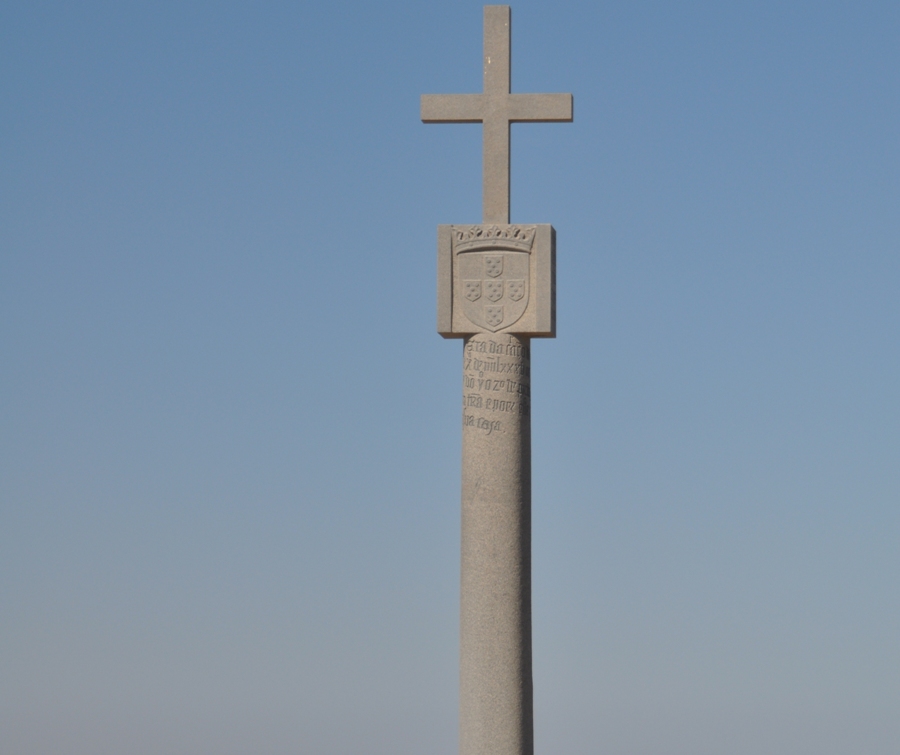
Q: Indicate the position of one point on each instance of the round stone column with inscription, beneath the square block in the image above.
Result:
(495, 596)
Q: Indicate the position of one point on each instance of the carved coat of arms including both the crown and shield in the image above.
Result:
(493, 266)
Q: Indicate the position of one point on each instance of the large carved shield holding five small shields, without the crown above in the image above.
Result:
(495, 287)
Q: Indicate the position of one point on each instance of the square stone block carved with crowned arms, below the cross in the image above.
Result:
(497, 279)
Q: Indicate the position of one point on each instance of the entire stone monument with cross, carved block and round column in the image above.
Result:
(497, 290)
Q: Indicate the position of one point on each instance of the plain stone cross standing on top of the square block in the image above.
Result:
(496, 108)
